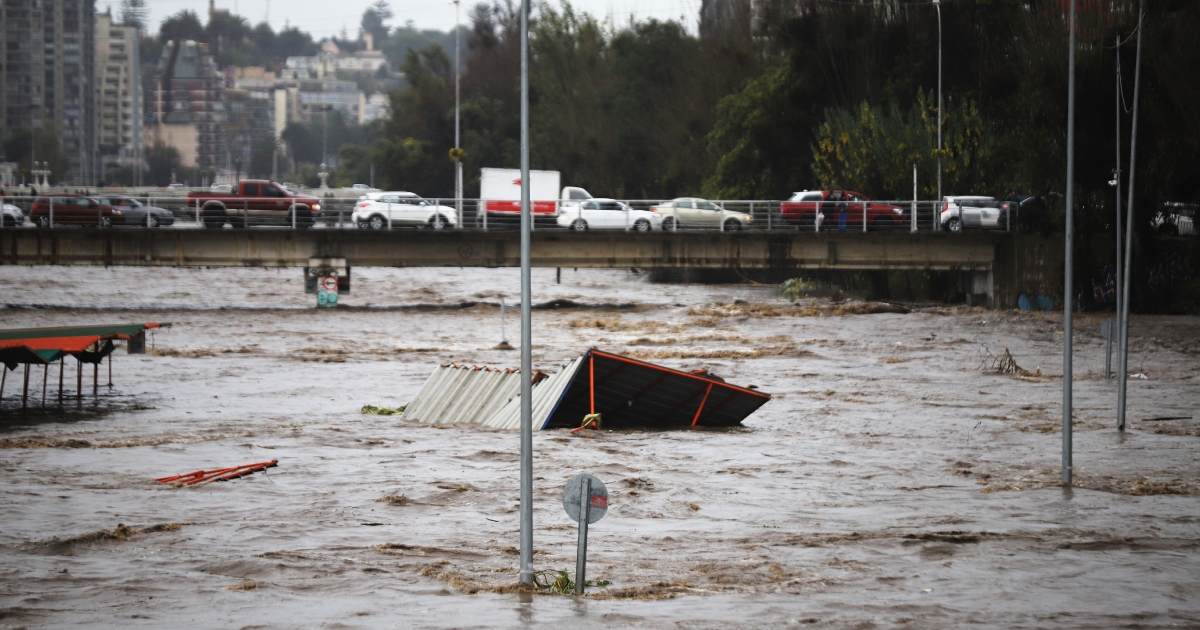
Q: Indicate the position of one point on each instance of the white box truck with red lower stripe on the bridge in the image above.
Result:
(500, 194)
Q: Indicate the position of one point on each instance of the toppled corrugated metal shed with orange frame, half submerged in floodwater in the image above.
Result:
(627, 393)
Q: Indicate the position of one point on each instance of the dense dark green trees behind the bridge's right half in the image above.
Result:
(827, 94)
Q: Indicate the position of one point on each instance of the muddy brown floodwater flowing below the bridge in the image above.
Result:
(896, 478)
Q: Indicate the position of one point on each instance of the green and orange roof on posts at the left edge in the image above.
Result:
(49, 345)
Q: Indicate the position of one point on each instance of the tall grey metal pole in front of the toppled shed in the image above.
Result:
(526, 574)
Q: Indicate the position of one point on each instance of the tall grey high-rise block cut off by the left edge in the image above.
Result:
(47, 77)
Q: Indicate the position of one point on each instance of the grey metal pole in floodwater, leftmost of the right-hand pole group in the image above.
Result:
(1069, 255)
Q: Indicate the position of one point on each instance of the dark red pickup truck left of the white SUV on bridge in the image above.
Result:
(256, 203)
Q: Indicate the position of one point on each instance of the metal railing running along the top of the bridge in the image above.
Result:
(339, 213)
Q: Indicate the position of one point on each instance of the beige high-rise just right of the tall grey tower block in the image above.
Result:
(118, 100)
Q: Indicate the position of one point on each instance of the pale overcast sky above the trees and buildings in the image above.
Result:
(325, 19)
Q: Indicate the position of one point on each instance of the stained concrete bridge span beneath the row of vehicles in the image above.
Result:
(993, 266)
